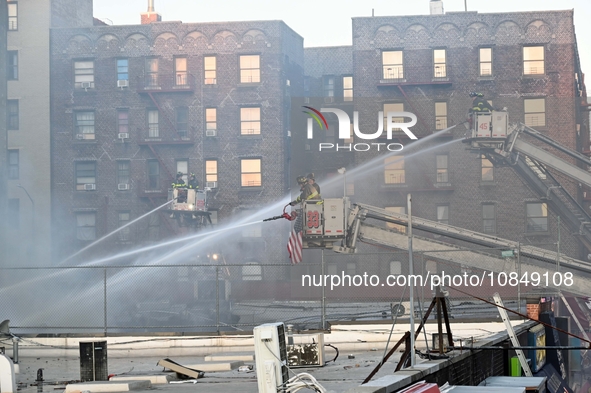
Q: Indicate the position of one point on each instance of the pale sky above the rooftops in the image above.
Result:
(328, 22)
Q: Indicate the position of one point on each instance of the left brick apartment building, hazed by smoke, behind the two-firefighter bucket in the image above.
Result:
(134, 105)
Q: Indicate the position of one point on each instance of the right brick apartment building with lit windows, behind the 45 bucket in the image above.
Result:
(526, 61)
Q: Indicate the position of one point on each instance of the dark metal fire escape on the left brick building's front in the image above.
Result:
(166, 131)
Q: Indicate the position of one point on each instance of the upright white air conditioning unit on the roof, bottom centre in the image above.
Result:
(271, 357)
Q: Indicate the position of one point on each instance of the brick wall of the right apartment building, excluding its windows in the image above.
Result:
(461, 35)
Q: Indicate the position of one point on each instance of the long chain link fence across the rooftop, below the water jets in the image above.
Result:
(326, 288)
